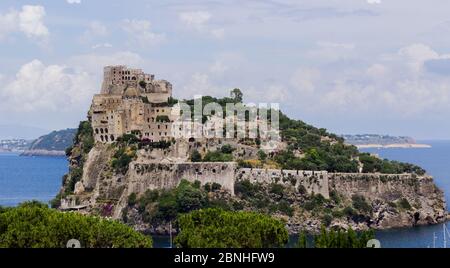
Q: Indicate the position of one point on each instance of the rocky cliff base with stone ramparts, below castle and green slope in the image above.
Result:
(306, 200)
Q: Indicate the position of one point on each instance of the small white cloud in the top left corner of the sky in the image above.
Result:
(29, 21)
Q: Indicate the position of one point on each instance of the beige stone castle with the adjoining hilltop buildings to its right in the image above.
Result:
(134, 102)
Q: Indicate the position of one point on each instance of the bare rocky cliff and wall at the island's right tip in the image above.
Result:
(402, 200)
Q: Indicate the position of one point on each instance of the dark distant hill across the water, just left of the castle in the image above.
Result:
(54, 143)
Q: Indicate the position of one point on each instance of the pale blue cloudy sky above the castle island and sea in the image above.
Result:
(350, 66)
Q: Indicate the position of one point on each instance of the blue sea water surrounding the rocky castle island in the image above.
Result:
(24, 178)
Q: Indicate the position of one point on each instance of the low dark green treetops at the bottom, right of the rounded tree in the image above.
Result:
(336, 239)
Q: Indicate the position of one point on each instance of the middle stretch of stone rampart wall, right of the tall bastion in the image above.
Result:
(313, 181)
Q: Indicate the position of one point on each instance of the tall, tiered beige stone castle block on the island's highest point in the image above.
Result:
(131, 100)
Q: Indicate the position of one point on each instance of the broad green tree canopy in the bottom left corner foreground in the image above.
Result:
(34, 225)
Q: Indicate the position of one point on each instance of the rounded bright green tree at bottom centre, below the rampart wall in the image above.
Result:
(217, 228)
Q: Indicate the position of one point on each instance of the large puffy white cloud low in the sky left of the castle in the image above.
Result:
(40, 87)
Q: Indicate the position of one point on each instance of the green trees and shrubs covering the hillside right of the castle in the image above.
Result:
(311, 148)
